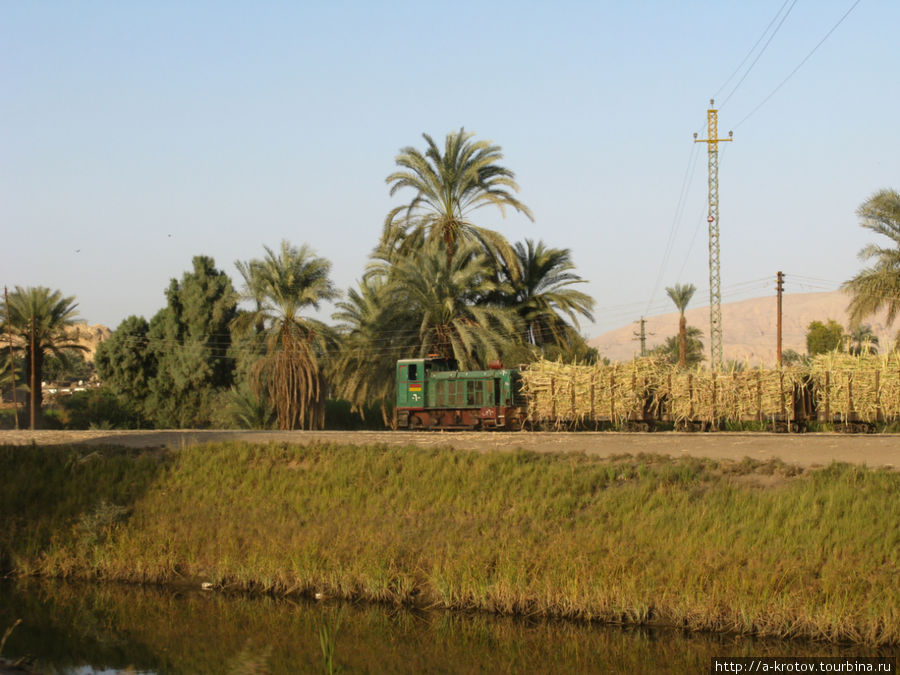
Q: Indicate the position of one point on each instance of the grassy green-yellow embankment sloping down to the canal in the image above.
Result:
(685, 542)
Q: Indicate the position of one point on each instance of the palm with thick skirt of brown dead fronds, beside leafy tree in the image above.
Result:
(286, 284)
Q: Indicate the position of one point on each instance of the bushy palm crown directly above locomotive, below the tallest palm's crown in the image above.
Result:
(440, 305)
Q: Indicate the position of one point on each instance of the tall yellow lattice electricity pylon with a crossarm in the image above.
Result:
(715, 291)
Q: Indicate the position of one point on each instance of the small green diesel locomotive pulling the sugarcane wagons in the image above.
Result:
(433, 394)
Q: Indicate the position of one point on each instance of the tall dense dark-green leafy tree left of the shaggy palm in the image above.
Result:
(190, 339)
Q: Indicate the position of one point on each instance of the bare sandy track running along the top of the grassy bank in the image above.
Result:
(806, 450)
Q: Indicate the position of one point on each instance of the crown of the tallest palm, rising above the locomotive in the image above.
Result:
(448, 187)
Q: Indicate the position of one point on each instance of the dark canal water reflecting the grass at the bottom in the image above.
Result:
(106, 628)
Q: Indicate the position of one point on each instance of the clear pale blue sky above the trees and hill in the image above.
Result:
(135, 135)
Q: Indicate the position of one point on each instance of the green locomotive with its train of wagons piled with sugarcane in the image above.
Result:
(433, 394)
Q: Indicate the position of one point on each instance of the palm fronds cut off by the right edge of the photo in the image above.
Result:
(878, 286)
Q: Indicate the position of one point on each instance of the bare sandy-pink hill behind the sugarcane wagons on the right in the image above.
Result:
(748, 327)
